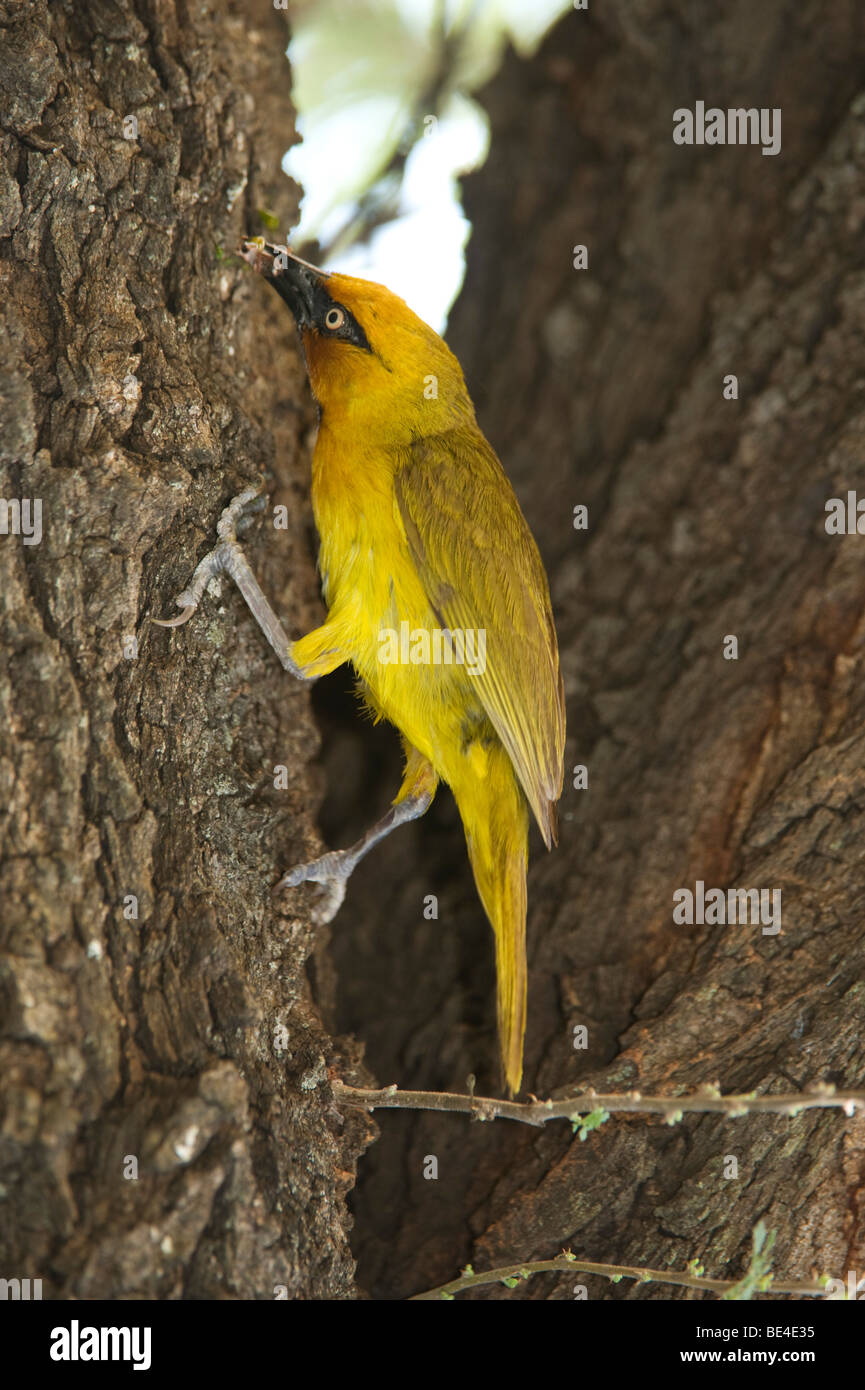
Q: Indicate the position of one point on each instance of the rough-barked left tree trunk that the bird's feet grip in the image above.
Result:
(144, 383)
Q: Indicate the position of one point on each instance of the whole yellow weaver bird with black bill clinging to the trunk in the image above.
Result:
(421, 534)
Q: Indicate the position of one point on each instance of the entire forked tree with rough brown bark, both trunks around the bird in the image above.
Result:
(144, 383)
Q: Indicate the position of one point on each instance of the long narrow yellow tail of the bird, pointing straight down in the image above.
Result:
(496, 819)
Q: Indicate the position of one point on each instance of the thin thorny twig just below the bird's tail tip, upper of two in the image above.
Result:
(704, 1102)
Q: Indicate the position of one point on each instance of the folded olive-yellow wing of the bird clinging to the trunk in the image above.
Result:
(480, 569)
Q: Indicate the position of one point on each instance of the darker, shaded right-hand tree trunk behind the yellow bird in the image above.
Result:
(604, 387)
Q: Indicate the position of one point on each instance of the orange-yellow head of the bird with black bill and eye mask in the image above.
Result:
(373, 365)
